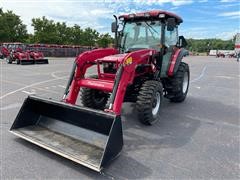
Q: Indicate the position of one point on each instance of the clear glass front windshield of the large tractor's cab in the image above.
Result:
(141, 35)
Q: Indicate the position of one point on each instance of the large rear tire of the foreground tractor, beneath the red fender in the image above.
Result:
(180, 83)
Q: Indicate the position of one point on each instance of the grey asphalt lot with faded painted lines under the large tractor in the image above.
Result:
(199, 138)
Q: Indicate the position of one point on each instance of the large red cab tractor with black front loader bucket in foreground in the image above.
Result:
(145, 66)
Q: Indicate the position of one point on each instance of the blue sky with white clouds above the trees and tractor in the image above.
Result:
(201, 18)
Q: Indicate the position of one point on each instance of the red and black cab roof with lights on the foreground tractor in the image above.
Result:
(152, 14)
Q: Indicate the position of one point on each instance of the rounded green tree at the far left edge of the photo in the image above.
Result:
(11, 27)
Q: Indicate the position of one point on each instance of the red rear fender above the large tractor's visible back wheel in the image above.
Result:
(176, 60)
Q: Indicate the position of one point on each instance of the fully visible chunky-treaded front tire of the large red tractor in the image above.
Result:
(148, 103)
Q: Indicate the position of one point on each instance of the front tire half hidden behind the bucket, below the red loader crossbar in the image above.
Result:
(93, 98)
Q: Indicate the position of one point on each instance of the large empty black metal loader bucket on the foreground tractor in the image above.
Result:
(89, 137)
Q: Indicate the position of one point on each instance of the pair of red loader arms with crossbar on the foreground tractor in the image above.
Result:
(122, 79)
